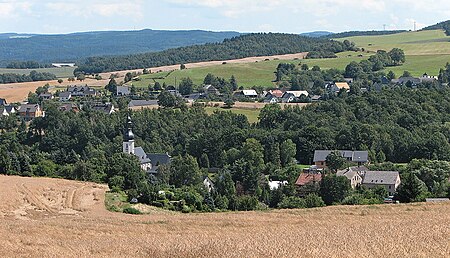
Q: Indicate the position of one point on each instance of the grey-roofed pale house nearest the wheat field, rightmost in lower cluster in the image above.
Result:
(390, 180)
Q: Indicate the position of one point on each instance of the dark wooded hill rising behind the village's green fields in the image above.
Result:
(238, 47)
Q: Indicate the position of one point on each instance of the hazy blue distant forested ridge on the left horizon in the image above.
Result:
(75, 46)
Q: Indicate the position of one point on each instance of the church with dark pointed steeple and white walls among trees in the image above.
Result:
(149, 161)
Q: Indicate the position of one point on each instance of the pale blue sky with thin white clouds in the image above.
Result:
(289, 16)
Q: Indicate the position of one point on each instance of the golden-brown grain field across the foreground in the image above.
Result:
(34, 224)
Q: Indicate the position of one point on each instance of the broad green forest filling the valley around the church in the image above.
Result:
(400, 125)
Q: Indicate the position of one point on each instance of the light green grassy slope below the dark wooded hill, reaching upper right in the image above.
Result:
(426, 51)
